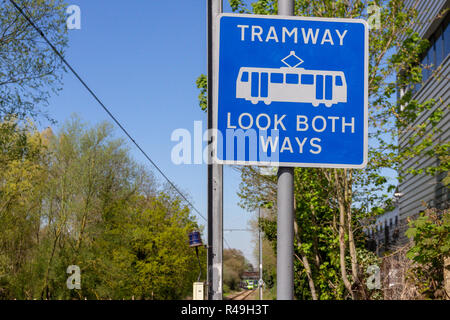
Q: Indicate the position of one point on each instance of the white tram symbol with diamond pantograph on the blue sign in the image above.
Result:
(291, 84)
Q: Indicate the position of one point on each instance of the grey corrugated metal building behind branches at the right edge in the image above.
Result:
(419, 192)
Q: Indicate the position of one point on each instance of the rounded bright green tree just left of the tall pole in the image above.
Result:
(148, 247)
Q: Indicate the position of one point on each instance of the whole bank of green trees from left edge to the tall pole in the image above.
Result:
(77, 198)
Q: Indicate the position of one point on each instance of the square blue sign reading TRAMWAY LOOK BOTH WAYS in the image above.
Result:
(291, 91)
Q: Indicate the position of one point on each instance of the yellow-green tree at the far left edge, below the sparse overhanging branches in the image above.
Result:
(21, 179)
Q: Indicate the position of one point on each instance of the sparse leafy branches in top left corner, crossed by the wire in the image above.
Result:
(29, 69)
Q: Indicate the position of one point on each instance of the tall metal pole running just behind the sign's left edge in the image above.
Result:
(215, 174)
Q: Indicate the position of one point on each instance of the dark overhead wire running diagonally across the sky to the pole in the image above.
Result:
(104, 107)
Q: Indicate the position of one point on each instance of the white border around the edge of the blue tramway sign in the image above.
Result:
(215, 104)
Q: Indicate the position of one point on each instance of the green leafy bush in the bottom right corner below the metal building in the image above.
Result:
(431, 235)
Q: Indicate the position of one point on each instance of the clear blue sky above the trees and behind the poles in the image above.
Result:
(142, 59)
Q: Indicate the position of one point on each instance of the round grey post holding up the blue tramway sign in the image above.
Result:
(285, 216)
